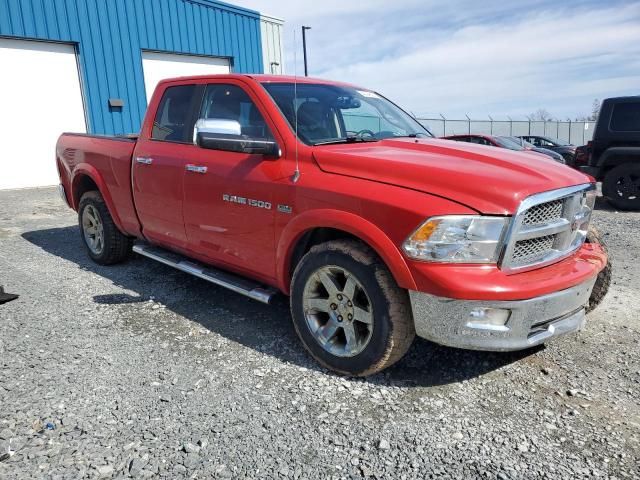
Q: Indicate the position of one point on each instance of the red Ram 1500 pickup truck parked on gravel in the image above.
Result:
(335, 196)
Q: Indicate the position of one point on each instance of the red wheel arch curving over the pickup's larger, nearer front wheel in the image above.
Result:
(312, 228)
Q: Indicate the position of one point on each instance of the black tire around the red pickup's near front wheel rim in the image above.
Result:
(391, 331)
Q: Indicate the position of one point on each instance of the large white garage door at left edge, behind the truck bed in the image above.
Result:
(40, 98)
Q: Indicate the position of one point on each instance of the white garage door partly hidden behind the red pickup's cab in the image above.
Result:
(158, 66)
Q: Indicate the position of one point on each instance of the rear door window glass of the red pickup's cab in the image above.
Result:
(172, 118)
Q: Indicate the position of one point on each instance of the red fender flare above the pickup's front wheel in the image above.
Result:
(350, 223)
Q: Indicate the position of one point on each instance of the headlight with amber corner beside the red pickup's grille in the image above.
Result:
(457, 238)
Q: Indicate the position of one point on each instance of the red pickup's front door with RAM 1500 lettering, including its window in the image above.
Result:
(229, 209)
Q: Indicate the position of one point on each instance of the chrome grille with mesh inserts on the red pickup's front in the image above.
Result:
(547, 227)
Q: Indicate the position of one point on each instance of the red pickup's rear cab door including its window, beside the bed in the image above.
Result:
(159, 166)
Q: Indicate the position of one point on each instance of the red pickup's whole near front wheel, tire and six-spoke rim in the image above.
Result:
(348, 311)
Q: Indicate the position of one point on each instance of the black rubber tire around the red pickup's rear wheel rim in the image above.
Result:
(116, 246)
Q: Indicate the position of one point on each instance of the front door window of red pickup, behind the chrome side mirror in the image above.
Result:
(229, 102)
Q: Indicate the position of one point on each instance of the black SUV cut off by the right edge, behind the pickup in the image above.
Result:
(613, 156)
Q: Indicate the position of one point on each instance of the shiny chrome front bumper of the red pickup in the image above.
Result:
(531, 322)
